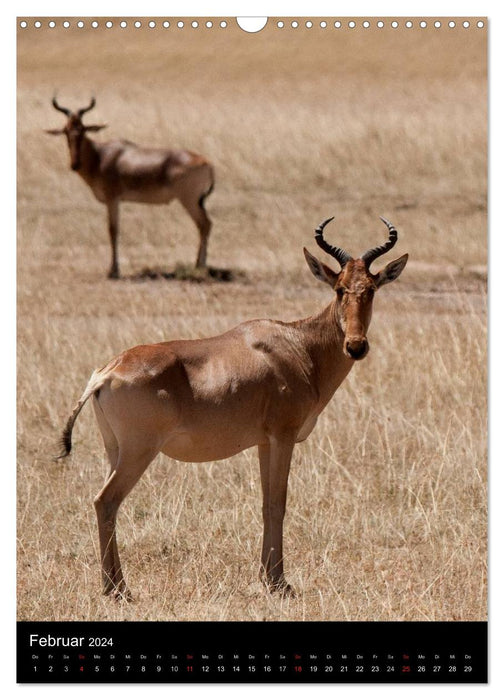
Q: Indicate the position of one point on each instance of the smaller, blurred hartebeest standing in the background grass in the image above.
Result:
(119, 171)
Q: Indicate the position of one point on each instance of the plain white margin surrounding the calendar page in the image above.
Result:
(276, 8)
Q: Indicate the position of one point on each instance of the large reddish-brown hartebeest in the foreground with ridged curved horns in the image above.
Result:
(262, 383)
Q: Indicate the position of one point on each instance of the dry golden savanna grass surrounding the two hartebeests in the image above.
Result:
(386, 514)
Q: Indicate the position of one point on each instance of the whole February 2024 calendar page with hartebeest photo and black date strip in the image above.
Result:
(252, 349)
